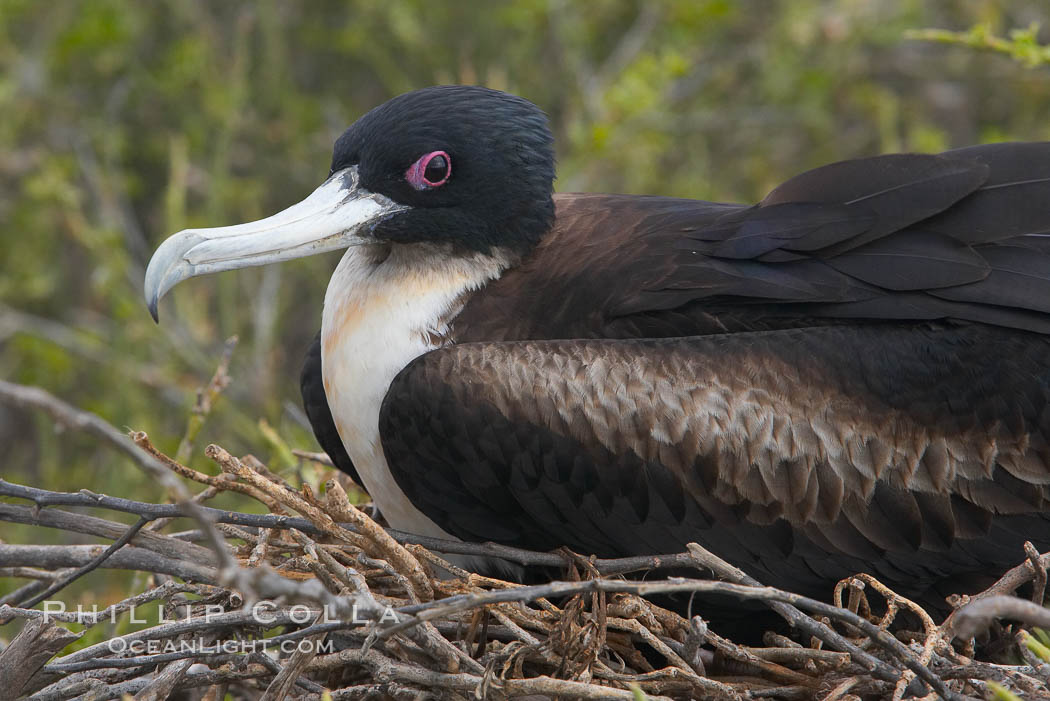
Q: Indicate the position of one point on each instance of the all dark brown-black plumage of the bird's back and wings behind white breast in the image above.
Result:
(854, 377)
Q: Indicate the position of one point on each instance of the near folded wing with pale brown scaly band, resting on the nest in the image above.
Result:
(915, 453)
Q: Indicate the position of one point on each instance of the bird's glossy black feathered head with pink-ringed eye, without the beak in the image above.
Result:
(476, 167)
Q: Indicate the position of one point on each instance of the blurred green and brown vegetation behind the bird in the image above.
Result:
(124, 122)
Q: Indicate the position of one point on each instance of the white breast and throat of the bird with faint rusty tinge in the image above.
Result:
(381, 313)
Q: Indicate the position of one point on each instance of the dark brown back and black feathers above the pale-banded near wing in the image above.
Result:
(963, 236)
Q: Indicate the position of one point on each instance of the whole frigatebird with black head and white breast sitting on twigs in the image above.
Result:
(851, 376)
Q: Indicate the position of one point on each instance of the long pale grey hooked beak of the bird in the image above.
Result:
(337, 216)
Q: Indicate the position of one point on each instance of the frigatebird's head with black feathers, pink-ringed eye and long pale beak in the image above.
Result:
(465, 166)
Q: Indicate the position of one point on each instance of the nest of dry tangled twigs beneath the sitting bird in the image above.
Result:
(316, 600)
